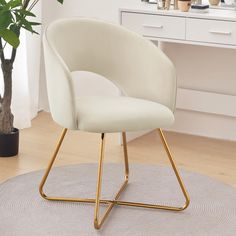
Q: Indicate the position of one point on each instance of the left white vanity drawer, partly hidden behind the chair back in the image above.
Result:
(155, 25)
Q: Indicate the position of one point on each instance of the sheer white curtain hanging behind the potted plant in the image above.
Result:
(26, 74)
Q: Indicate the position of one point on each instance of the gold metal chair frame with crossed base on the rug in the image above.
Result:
(111, 203)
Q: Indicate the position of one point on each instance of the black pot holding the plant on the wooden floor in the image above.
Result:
(9, 144)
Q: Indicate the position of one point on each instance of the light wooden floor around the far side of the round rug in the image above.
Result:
(211, 157)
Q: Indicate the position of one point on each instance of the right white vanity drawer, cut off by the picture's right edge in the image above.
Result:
(211, 31)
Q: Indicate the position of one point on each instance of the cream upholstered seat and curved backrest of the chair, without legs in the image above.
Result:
(143, 73)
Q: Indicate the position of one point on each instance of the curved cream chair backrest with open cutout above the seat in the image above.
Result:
(133, 63)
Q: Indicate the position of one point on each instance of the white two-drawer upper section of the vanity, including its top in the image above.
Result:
(210, 29)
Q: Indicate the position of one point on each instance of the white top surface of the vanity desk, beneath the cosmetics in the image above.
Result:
(145, 8)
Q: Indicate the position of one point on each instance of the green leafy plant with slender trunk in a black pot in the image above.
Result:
(15, 15)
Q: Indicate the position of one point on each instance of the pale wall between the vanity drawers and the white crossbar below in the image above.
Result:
(203, 68)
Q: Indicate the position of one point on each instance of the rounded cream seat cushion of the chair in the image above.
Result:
(116, 114)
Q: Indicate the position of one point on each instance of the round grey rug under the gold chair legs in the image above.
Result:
(24, 213)
